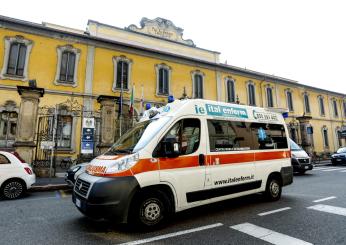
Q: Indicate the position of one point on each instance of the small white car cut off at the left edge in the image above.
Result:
(16, 176)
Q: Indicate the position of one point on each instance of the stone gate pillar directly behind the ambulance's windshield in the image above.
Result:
(108, 116)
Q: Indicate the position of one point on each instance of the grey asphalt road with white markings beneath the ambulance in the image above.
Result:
(311, 211)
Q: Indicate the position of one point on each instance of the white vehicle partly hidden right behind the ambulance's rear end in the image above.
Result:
(301, 161)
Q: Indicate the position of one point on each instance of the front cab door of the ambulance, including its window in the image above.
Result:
(186, 171)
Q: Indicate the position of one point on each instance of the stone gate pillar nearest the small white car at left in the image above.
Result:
(27, 121)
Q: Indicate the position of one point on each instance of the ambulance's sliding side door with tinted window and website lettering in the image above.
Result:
(231, 159)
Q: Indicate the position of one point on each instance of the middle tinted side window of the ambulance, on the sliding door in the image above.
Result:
(229, 136)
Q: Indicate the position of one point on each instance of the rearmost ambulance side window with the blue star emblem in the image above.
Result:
(269, 136)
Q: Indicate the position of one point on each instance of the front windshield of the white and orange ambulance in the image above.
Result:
(137, 137)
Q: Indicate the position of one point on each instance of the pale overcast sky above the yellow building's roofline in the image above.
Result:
(301, 40)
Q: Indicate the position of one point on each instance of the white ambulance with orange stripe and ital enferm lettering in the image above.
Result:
(188, 153)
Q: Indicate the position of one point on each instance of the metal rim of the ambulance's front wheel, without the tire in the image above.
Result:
(151, 212)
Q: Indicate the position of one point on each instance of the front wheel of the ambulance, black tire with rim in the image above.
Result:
(150, 210)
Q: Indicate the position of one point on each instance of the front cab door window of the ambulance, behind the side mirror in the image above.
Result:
(187, 132)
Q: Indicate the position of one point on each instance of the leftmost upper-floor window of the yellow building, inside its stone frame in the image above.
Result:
(16, 59)
